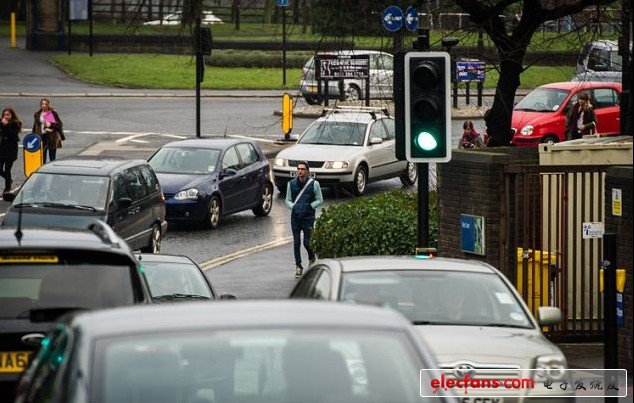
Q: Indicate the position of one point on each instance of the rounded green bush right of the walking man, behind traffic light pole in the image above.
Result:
(386, 224)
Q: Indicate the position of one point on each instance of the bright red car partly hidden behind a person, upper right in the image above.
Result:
(541, 116)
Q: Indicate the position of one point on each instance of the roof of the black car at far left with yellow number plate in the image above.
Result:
(55, 239)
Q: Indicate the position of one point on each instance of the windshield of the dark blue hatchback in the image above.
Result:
(182, 160)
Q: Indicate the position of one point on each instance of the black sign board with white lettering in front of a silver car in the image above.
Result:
(335, 67)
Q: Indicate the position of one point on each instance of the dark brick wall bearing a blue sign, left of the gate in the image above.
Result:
(473, 183)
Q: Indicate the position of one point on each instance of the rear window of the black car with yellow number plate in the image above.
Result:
(27, 285)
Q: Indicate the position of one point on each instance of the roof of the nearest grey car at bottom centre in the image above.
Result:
(235, 314)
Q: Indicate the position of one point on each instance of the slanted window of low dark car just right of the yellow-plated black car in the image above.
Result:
(169, 279)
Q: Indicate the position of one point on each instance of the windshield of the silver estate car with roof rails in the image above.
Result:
(335, 133)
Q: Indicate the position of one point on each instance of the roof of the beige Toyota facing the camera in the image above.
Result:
(380, 263)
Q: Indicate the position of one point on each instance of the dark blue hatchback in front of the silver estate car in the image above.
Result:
(205, 179)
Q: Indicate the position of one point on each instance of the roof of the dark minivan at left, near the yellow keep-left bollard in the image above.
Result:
(93, 166)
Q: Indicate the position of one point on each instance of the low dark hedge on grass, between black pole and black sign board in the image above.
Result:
(256, 58)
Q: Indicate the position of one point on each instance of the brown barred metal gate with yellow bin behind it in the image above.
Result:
(546, 257)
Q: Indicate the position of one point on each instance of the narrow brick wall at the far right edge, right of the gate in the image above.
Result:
(621, 178)
